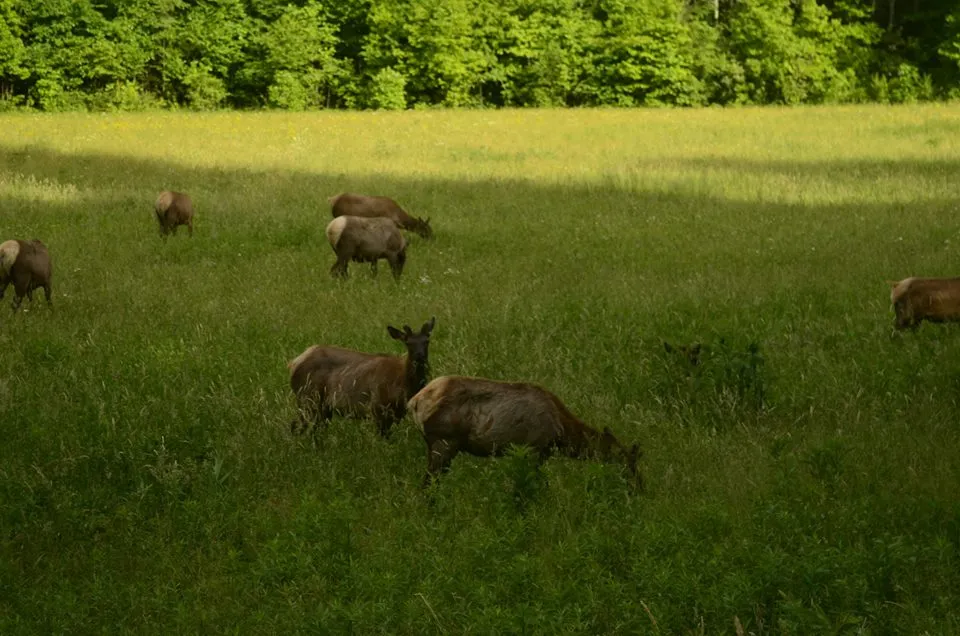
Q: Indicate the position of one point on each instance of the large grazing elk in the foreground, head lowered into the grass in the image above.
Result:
(484, 417)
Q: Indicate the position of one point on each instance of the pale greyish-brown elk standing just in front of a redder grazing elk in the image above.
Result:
(355, 238)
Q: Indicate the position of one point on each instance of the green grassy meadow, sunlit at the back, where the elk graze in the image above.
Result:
(149, 482)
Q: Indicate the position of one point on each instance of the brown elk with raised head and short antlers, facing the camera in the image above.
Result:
(331, 380)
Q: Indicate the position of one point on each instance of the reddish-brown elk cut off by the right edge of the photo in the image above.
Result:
(918, 299)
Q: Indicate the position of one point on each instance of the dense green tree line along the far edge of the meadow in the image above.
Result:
(303, 54)
